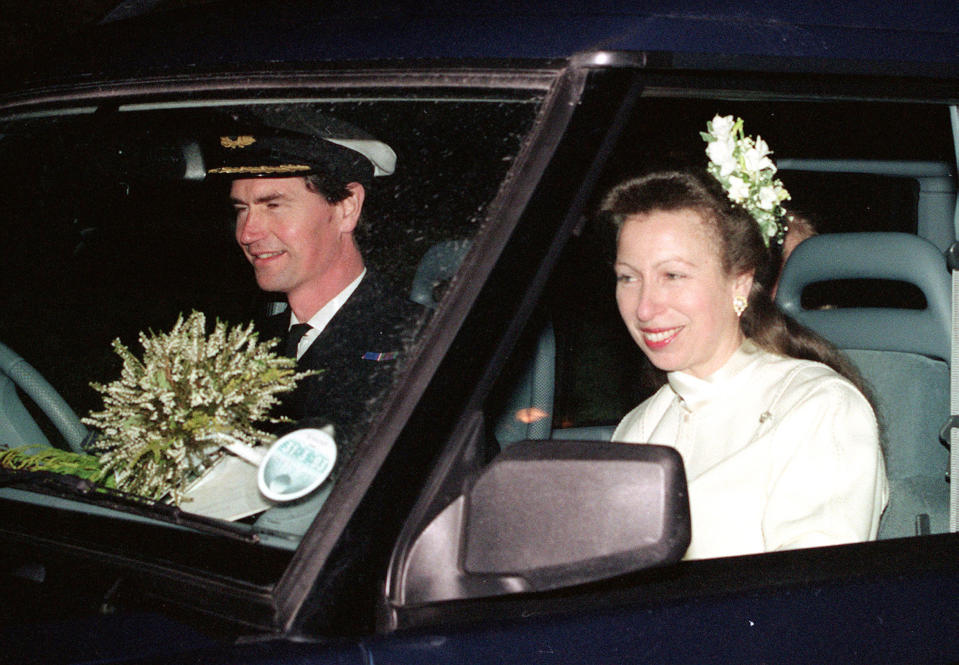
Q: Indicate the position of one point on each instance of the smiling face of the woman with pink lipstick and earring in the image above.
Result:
(673, 294)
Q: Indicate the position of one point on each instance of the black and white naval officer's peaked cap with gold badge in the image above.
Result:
(298, 145)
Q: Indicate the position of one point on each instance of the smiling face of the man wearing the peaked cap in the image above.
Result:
(290, 234)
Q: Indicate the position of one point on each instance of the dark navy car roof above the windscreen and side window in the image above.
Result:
(147, 35)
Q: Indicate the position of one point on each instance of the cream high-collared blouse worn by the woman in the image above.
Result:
(779, 453)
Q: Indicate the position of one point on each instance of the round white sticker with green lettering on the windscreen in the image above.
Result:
(296, 464)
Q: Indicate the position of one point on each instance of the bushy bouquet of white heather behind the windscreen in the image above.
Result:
(161, 418)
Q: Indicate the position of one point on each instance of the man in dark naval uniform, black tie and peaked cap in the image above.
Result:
(298, 196)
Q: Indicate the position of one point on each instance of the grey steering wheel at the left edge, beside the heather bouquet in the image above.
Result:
(17, 426)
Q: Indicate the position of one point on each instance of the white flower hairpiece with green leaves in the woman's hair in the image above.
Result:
(743, 167)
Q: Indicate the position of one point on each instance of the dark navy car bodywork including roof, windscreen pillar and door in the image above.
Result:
(891, 601)
